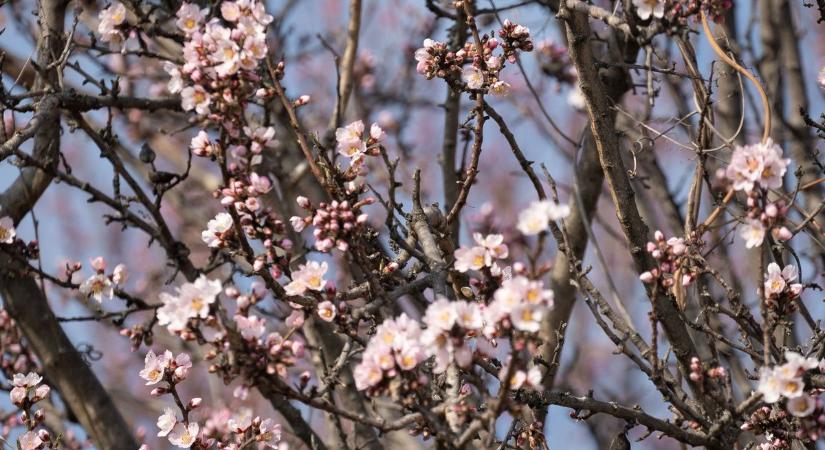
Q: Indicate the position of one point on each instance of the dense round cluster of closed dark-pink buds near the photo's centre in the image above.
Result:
(334, 223)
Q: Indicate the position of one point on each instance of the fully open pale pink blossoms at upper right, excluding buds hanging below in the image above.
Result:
(758, 164)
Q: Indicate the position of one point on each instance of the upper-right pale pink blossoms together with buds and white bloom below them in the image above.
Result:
(754, 169)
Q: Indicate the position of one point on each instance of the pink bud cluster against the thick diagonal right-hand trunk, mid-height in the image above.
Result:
(670, 256)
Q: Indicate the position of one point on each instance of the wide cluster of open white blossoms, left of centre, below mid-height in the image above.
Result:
(190, 301)
